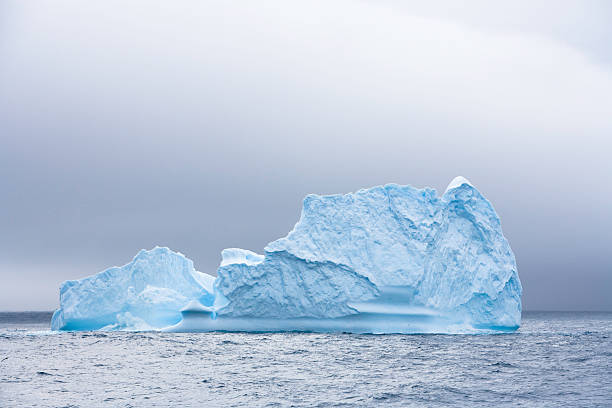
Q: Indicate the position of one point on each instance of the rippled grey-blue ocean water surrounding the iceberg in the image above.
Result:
(555, 359)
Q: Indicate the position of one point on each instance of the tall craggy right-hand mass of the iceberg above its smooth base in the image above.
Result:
(449, 254)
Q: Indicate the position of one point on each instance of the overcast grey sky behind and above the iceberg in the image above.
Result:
(200, 125)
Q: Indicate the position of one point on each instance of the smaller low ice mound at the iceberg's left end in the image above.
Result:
(147, 293)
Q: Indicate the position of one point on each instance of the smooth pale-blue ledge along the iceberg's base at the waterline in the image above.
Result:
(393, 311)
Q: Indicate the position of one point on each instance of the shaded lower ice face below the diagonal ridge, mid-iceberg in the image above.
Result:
(281, 285)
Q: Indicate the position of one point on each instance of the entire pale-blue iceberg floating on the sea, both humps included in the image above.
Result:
(387, 259)
